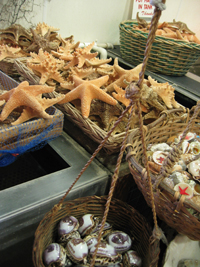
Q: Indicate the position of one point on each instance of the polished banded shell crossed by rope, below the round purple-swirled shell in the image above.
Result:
(106, 255)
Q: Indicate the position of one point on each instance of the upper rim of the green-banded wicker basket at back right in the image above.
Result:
(158, 39)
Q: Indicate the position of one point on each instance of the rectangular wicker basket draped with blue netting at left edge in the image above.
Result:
(15, 140)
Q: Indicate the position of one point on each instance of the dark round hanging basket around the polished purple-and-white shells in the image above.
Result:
(122, 216)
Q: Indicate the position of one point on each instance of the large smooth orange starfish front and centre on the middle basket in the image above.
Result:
(86, 91)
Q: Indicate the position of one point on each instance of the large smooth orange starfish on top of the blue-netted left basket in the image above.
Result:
(24, 95)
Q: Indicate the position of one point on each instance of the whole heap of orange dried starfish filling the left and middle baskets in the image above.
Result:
(93, 86)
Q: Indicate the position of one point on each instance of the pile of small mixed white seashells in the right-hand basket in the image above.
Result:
(185, 176)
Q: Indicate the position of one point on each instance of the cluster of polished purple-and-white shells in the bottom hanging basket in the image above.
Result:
(77, 240)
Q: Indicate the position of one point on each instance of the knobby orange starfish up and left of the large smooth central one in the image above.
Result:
(47, 65)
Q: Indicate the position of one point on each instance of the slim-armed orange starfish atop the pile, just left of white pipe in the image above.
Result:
(80, 55)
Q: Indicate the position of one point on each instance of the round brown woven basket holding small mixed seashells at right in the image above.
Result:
(170, 207)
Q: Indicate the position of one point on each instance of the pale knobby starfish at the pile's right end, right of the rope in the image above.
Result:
(165, 91)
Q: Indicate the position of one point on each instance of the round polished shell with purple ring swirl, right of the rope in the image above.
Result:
(120, 241)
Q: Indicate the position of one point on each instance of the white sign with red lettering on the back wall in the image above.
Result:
(143, 7)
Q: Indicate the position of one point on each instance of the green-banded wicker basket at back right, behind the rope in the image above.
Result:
(168, 56)
